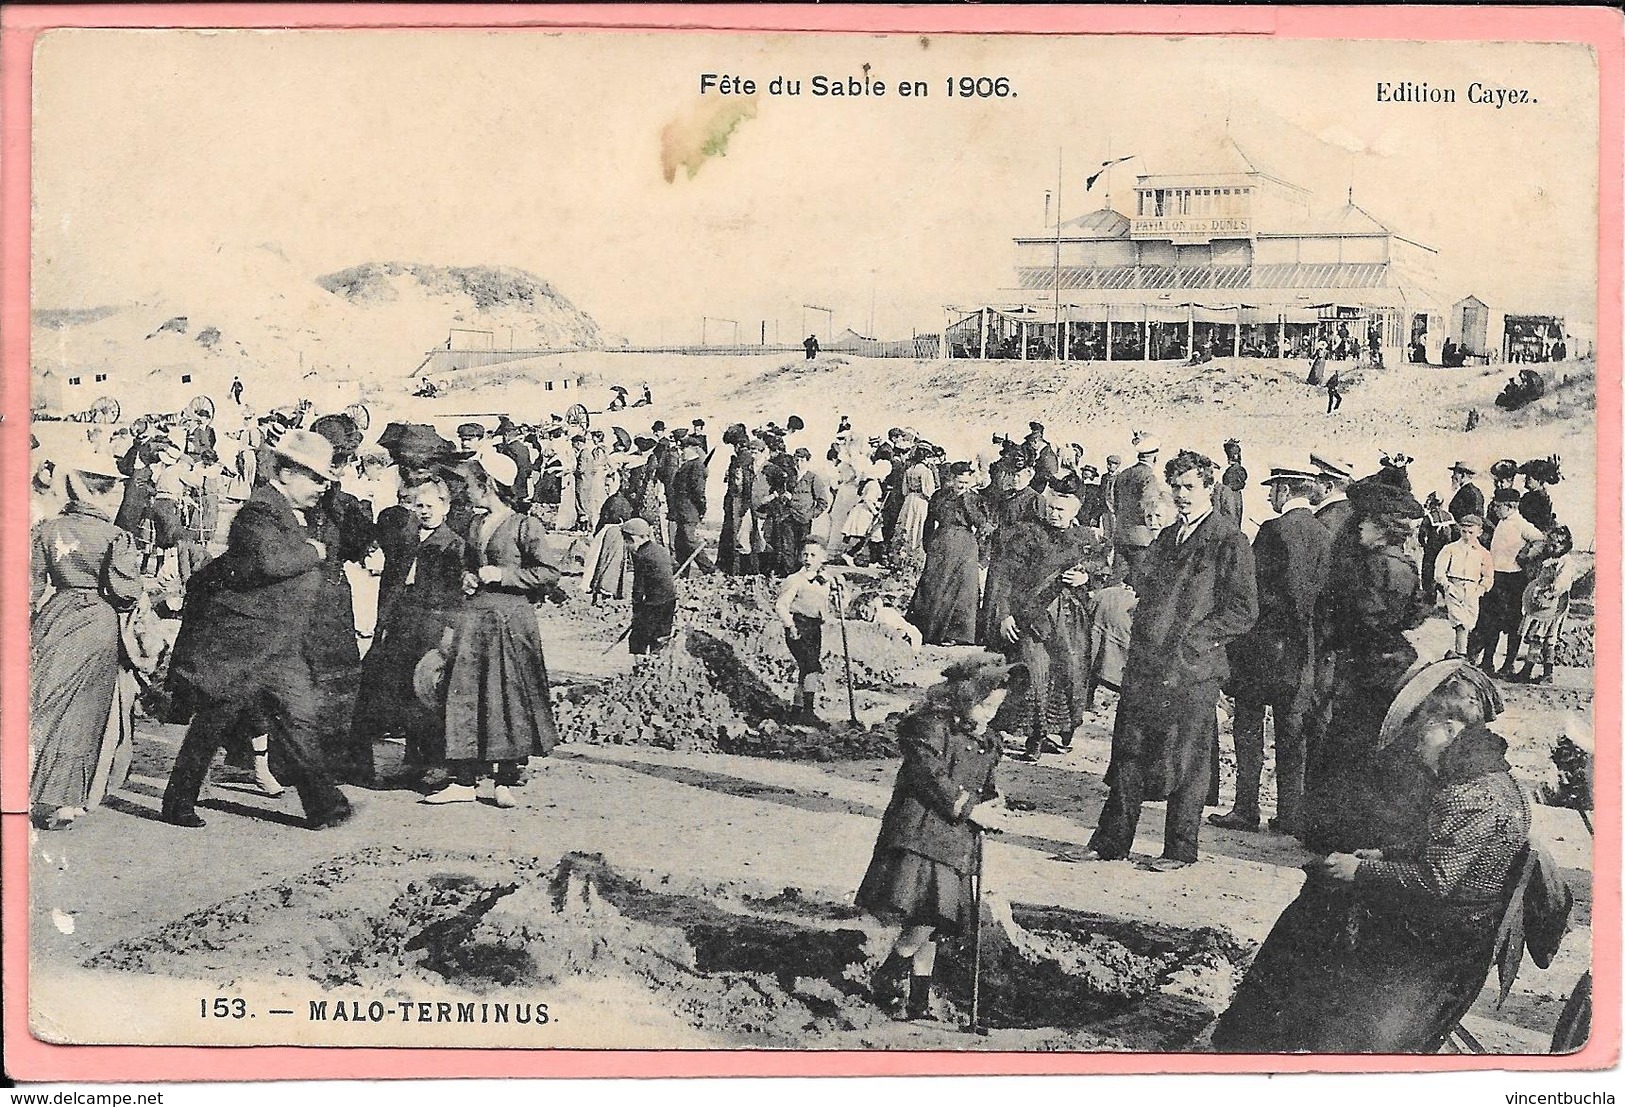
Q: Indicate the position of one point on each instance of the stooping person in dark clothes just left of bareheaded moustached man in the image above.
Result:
(1034, 612)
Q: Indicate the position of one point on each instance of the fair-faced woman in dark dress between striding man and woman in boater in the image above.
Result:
(420, 597)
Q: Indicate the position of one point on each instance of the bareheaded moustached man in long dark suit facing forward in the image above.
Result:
(1198, 593)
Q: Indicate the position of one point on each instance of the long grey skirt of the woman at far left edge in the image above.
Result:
(74, 674)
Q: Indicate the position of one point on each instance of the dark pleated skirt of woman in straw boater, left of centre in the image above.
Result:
(498, 705)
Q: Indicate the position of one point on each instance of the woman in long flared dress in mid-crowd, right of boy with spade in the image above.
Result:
(945, 602)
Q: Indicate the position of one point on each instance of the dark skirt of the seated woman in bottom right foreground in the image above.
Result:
(1341, 975)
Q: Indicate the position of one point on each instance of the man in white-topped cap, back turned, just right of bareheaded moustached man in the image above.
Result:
(1273, 664)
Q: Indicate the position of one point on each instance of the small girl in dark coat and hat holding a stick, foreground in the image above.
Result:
(927, 853)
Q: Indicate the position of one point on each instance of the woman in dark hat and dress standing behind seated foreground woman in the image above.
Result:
(1354, 796)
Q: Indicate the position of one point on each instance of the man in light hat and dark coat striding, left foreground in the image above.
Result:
(241, 656)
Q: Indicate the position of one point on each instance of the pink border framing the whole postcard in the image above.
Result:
(33, 1061)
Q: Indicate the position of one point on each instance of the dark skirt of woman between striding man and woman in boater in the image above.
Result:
(388, 703)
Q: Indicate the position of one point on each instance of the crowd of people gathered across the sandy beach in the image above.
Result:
(1133, 578)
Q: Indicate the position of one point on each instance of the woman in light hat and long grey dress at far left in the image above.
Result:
(95, 573)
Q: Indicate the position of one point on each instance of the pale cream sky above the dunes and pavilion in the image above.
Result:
(544, 150)
